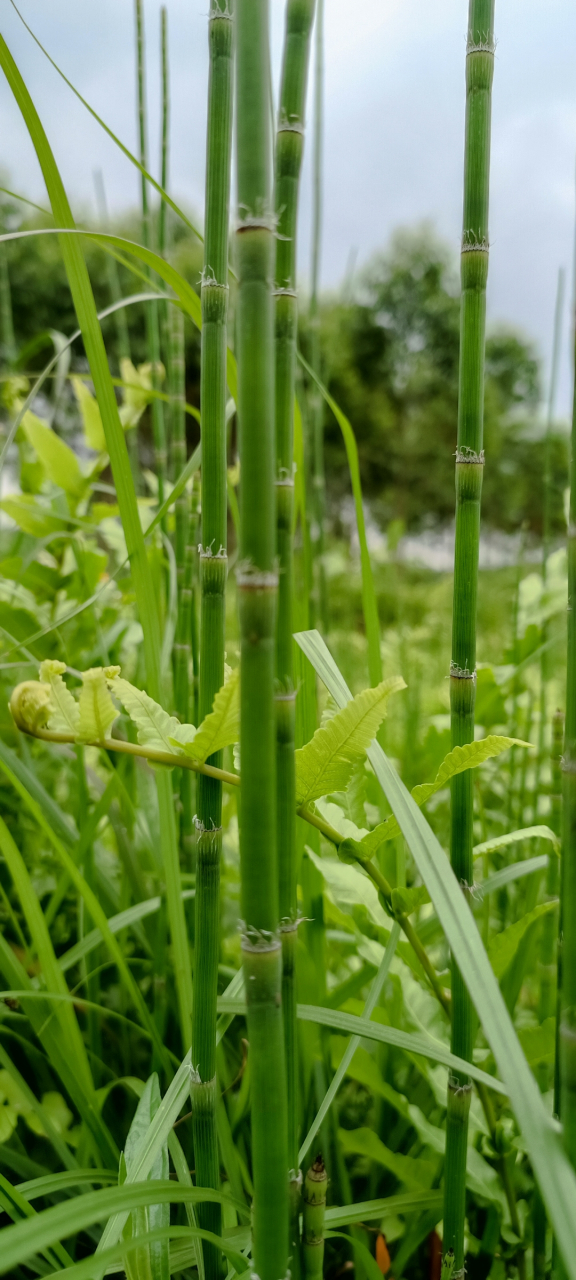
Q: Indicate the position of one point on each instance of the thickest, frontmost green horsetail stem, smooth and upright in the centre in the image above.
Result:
(258, 589)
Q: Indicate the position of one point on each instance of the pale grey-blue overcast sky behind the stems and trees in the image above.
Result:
(395, 100)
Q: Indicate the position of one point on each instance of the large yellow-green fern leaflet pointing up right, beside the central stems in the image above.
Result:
(326, 764)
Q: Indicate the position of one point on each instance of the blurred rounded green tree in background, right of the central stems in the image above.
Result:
(391, 360)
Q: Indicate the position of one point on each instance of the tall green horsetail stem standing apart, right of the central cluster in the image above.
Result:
(469, 482)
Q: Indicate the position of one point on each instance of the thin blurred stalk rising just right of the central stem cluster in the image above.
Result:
(317, 409)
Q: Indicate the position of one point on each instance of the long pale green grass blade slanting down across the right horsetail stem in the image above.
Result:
(555, 1173)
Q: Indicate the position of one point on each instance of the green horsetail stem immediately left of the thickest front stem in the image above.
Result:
(213, 583)
